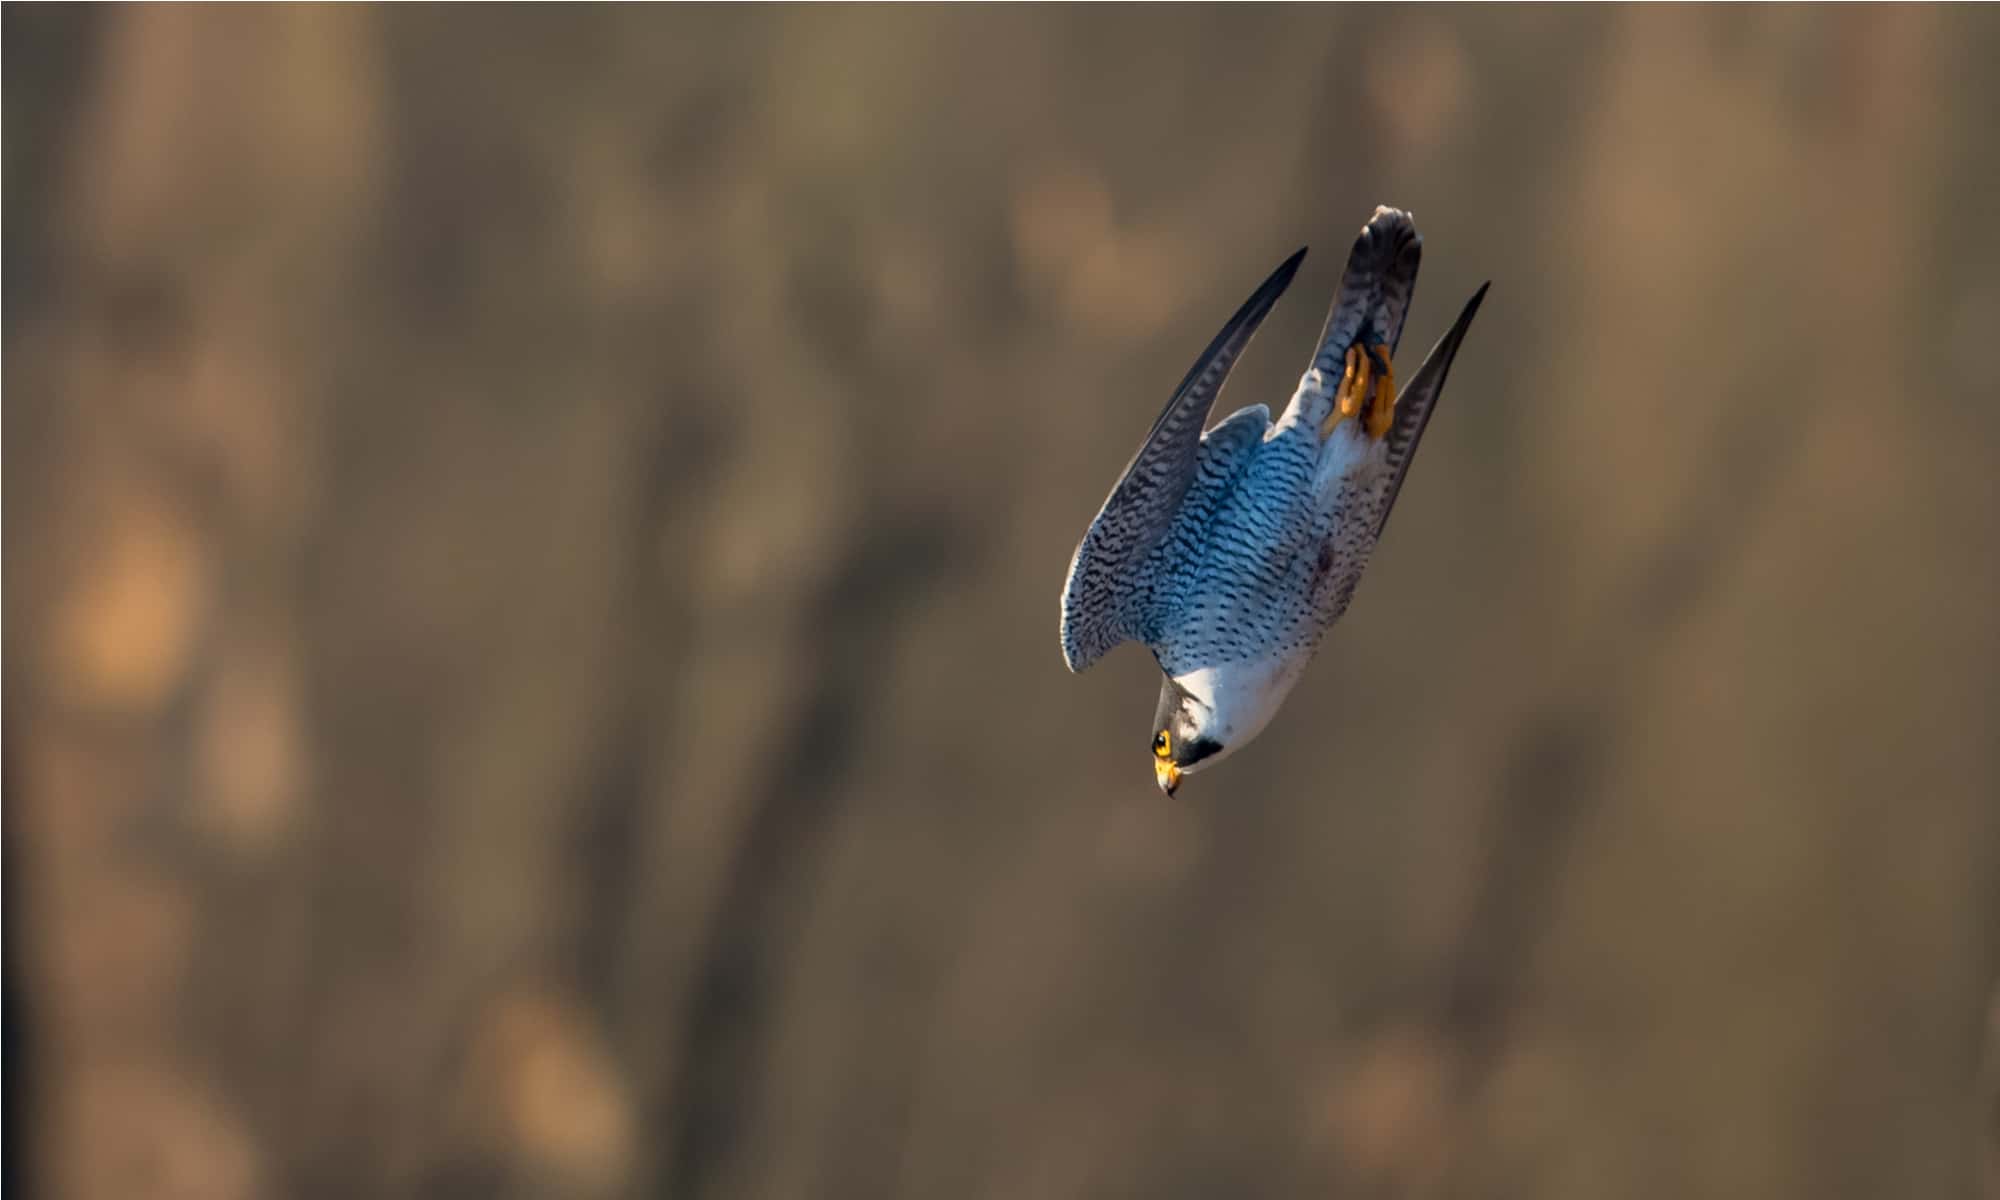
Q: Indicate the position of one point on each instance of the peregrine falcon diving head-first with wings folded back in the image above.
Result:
(1231, 553)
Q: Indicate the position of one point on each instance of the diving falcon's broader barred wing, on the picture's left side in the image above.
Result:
(1103, 601)
